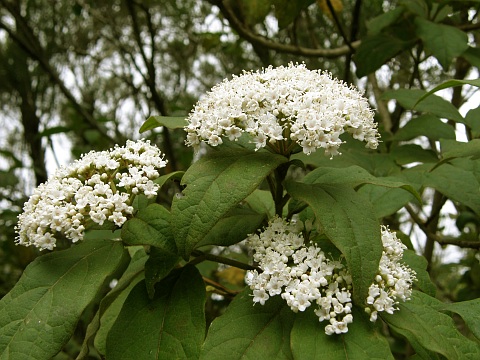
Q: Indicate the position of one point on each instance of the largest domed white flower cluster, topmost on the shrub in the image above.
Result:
(282, 107)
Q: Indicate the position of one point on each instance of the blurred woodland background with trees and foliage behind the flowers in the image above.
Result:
(89, 74)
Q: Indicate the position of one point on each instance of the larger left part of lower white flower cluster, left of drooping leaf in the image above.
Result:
(301, 275)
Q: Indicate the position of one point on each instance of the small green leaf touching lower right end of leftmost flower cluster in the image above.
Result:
(150, 226)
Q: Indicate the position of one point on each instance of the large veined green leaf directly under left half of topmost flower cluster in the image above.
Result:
(215, 185)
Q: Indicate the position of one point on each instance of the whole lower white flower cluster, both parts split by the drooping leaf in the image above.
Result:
(303, 276)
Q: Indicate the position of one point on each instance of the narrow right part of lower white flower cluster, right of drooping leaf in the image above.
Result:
(394, 280)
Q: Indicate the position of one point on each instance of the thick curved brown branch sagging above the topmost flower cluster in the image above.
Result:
(259, 40)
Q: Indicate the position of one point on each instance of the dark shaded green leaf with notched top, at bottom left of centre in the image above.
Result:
(171, 326)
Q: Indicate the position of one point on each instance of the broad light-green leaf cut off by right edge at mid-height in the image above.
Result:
(456, 183)
